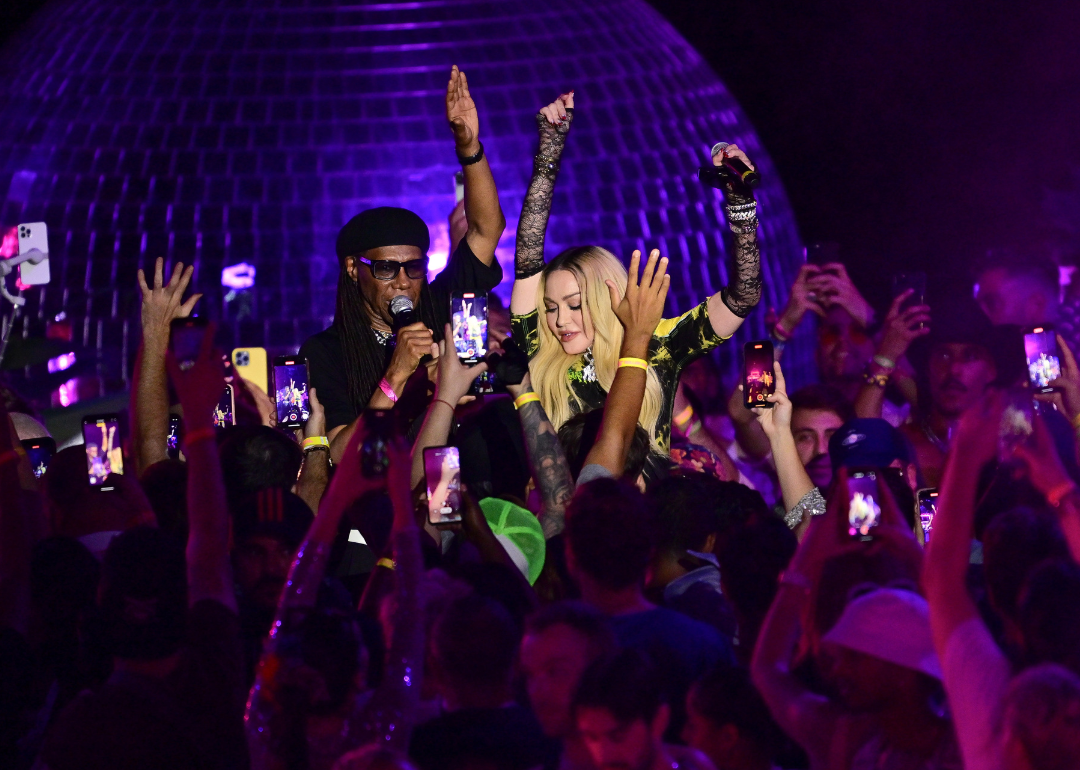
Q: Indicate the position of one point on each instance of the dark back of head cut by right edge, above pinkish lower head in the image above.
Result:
(1049, 614)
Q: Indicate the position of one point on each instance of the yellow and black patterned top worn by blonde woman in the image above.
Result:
(677, 344)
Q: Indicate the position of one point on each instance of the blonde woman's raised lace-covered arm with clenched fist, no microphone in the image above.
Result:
(555, 124)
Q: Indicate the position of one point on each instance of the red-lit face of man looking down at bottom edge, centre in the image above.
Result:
(615, 746)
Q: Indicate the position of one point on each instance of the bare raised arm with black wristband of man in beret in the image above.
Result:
(483, 211)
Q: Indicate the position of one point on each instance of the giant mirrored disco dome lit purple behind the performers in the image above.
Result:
(226, 132)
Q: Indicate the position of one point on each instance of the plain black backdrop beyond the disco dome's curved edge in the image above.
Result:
(917, 133)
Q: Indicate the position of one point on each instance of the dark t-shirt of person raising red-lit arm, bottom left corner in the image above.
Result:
(192, 719)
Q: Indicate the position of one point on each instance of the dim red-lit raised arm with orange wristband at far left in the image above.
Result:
(210, 571)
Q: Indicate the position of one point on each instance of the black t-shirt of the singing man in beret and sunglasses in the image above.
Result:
(464, 273)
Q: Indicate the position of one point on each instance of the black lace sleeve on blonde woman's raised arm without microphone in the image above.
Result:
(533, 225)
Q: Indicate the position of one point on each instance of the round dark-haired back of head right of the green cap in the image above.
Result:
(610, 531)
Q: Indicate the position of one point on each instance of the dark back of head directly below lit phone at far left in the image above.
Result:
(77, 509)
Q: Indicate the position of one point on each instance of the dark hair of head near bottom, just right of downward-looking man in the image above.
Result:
(726, 696)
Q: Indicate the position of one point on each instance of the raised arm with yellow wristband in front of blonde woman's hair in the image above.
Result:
(639, 312)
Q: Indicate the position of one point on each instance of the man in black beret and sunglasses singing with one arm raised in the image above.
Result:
(359, 363)
